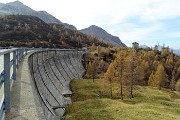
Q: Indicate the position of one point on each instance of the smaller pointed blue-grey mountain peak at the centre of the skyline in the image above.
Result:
(100, 33)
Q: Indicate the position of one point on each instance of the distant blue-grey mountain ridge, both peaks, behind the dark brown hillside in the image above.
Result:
(18, 8)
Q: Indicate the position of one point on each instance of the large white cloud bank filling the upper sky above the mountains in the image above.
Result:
(83, 13)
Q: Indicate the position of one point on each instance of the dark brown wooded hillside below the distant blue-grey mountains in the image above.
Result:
(30, 31)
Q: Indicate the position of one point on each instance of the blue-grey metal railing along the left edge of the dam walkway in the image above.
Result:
(6, 77)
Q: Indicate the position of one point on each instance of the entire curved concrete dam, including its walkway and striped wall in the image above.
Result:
(41, 88)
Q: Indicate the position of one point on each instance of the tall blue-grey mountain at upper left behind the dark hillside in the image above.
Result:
(16, 7)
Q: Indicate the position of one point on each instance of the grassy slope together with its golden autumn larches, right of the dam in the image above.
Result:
(139, 84)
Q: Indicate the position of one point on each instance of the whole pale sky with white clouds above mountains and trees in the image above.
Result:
(148, 22)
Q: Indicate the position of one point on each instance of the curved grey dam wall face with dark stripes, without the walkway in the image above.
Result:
(52, 72)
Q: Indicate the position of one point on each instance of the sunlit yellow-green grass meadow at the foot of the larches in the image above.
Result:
(91, 102)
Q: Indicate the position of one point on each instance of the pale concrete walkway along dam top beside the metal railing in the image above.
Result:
(25, 103)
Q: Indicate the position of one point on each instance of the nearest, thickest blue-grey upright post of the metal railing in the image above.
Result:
(7, 82)
